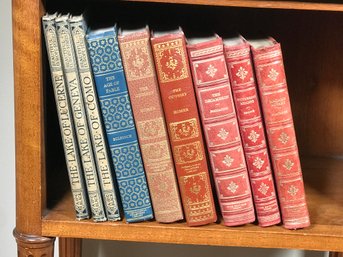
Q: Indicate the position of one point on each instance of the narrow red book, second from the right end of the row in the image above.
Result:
(242, 78)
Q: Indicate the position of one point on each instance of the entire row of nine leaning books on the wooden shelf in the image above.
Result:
(142, 114)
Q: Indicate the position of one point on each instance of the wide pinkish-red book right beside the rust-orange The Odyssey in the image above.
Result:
(211, 81)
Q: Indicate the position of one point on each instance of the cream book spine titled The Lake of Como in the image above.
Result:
(98, 137)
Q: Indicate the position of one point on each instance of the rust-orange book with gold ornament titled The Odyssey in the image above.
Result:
(181, 113)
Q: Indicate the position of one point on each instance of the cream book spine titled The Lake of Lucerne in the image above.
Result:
(65, 119)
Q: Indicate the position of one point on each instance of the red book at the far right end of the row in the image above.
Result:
(272, 85)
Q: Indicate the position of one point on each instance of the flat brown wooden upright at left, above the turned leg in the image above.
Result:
(30, 182)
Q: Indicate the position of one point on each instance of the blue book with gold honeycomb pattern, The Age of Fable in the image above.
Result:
(119, 124)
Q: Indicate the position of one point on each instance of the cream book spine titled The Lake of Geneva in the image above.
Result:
(78, 110)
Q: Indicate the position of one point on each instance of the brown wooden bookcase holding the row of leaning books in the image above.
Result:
(311, 38)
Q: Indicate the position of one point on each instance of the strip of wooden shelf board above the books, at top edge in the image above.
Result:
(295, 5)
